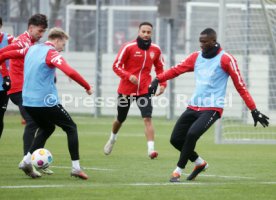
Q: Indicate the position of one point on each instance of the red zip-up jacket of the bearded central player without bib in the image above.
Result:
(131, 60)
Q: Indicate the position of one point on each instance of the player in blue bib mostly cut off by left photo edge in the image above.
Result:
(5, 39)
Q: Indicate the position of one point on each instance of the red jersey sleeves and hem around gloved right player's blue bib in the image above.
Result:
(228, 64)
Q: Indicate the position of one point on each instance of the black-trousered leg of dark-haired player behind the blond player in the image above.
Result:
(31, 127)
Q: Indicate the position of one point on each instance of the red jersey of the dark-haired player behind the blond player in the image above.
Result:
(16, 66)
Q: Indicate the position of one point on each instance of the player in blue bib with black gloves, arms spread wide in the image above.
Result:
(212, 67)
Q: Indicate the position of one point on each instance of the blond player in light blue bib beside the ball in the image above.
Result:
(40, 98)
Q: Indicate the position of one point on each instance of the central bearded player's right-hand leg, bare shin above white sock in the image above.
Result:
(145, 105)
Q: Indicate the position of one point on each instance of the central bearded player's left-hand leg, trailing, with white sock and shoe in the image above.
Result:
(123, 105)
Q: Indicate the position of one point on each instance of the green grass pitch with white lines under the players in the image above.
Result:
(235, 171)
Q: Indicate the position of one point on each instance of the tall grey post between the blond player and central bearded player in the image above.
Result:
(98, 70)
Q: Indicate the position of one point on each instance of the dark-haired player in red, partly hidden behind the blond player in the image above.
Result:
(13, 79)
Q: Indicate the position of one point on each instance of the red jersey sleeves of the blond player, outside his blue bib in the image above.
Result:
(53, 59)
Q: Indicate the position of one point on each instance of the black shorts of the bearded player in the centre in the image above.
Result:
(143, 102)
